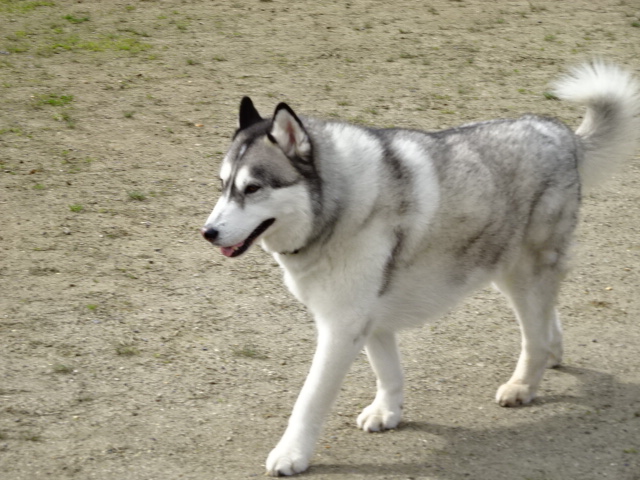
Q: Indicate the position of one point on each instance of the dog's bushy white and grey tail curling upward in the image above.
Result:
(611, 126)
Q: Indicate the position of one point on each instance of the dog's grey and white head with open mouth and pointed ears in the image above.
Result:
(265, 192)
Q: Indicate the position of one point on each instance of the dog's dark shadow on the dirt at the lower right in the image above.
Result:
(597, 434)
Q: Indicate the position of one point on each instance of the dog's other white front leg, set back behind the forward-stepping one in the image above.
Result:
(386, 410)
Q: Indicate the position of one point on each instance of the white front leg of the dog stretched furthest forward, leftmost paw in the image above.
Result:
(335, 353)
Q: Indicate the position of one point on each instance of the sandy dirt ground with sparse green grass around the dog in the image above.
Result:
(130, 349)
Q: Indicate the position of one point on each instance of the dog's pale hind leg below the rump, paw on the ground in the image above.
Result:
(532, 288)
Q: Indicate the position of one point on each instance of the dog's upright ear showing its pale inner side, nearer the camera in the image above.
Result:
(287, 131)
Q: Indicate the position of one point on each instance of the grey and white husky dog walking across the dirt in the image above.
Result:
(382, 229)
